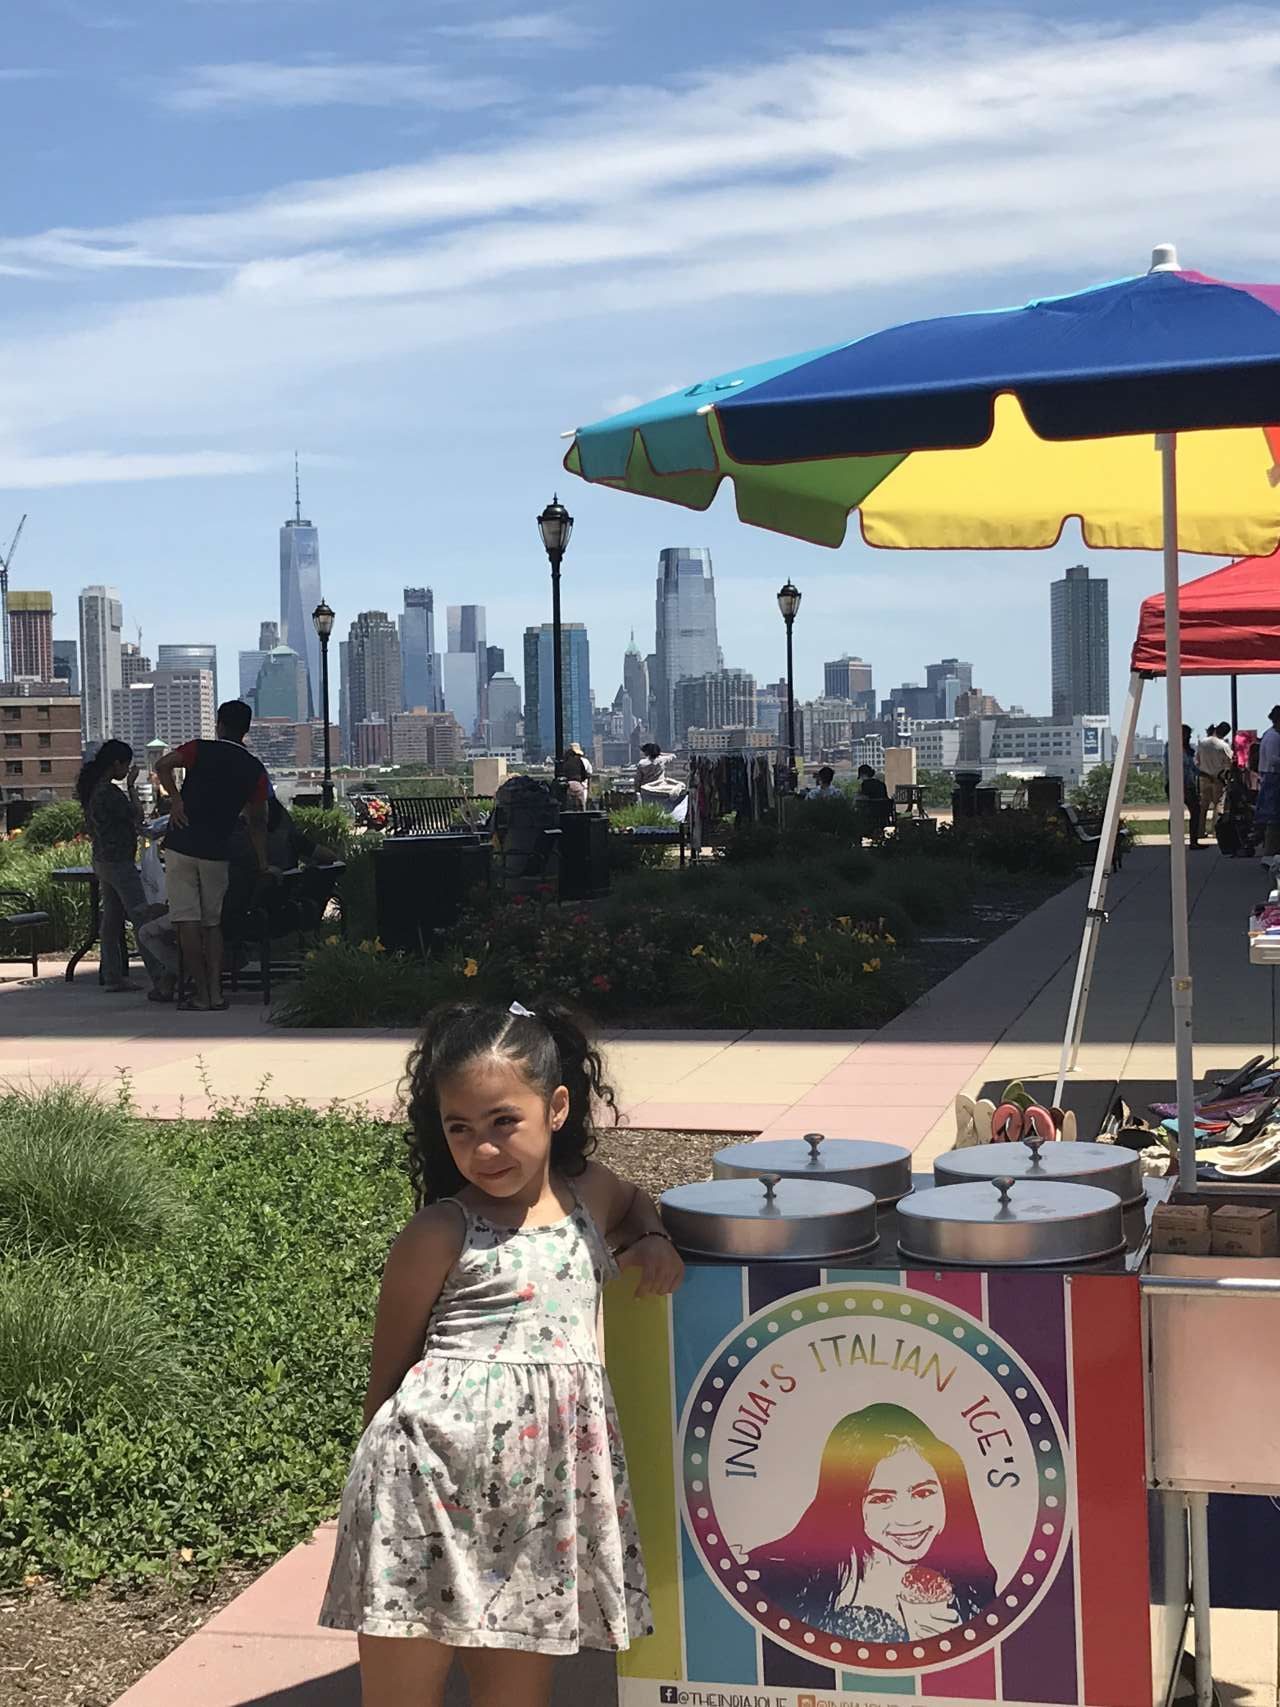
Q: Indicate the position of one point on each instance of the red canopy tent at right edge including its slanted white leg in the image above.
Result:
(1230, 626)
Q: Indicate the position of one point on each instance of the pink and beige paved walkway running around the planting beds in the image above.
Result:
(998, 1018)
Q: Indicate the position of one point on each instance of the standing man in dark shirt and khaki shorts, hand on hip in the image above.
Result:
(223, 783)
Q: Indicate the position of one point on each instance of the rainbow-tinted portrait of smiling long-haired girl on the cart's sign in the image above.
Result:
(890, 1547)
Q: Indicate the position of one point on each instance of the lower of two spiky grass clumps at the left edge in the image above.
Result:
(73, 1341)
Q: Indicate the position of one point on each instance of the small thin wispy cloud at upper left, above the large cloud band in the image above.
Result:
(327, 83)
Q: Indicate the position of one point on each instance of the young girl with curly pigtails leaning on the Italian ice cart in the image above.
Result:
(487, 1513)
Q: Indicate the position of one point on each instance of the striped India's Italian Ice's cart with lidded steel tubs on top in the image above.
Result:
(895, 1450)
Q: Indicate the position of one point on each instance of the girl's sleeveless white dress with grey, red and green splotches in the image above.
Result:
(489, 1503)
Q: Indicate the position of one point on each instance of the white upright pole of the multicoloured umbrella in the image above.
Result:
(1182, 931)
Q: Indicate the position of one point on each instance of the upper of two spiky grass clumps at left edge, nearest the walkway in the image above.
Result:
(73, 1177)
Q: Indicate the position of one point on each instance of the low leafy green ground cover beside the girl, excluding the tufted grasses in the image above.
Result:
(272, 1302)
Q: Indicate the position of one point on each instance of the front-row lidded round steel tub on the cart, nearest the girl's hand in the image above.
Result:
(769, 1220)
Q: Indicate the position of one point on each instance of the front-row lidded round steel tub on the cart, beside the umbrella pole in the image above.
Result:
(1011, 1225)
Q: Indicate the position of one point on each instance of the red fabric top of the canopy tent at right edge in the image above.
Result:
(1230, 624)
